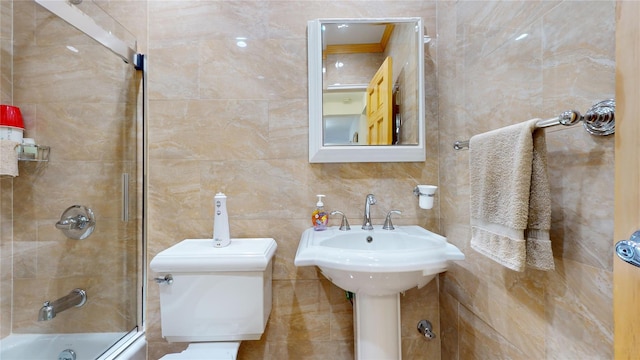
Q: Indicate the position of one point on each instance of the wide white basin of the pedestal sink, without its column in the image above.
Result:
(377, 262)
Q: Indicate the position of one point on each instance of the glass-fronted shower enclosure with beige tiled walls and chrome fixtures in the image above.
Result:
(79, 98)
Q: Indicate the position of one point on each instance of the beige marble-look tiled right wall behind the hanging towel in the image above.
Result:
(487, 79)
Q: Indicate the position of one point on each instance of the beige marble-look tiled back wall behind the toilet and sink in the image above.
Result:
(224, 118)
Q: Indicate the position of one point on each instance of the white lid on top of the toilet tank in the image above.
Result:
(199, 255)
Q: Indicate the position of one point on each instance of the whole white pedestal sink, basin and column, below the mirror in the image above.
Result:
(377, 265)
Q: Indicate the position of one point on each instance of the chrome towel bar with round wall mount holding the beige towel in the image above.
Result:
(599, 120)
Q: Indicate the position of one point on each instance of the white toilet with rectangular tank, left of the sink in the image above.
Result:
(213, 298)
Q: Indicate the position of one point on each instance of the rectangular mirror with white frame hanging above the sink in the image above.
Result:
(366, 90)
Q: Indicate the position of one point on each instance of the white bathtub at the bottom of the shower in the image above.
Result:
(89, 346)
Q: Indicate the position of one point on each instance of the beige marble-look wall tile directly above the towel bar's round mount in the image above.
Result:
(578, 70)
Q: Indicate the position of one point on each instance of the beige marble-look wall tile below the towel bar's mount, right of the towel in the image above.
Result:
(580, 222)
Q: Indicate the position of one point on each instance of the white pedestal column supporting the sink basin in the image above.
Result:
(376, 321)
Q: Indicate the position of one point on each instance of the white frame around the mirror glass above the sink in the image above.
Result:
(318, 152)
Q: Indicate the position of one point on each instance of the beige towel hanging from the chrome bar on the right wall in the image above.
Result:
(510, 197)
